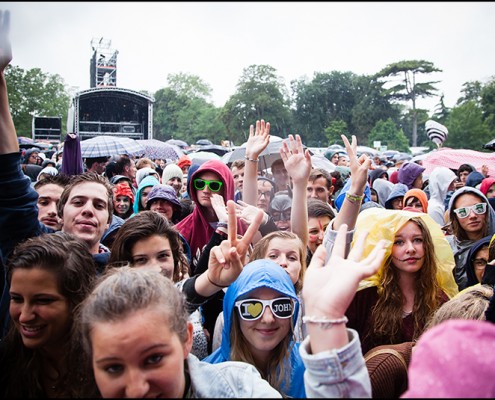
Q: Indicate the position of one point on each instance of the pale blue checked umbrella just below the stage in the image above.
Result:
(106, 146)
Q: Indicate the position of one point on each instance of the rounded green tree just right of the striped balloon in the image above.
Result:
(467, 129)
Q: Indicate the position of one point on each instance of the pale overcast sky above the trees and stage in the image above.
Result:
(217, 40)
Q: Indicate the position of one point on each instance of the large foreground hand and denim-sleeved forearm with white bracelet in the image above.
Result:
(327, 292)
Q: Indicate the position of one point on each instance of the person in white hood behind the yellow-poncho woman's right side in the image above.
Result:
(440, 182)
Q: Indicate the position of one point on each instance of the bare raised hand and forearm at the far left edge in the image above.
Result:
(8, 136)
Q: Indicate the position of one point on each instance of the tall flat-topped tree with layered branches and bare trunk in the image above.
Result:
(408, 89)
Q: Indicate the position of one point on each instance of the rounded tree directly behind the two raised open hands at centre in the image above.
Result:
(260, 94)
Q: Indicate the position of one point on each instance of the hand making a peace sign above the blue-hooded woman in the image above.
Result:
(227, 259)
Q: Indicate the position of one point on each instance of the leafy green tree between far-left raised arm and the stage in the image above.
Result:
(32, 92)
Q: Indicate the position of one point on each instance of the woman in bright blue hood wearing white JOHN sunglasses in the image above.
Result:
(283, 356)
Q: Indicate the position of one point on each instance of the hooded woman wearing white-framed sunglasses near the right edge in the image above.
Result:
(462, 239)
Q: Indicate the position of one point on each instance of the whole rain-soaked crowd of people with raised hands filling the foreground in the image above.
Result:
(138, 277)
